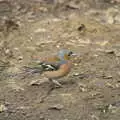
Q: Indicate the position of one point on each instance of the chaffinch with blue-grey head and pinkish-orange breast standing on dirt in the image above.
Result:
(54, 67)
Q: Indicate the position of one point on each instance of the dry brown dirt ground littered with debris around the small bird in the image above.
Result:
(92, 89)
